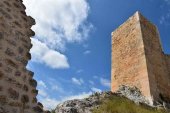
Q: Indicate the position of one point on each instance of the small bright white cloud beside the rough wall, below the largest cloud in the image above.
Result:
(42, 54)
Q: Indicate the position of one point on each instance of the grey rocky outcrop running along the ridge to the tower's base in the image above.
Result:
(86, 105)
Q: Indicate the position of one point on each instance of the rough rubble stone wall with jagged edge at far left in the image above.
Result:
(17, 86)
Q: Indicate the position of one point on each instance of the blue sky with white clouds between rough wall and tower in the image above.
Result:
(71, 54)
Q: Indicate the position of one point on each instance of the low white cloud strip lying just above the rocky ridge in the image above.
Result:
(54, 102)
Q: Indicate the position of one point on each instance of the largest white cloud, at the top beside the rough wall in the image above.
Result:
(59, 21)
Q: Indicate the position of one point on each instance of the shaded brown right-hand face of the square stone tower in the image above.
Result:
(159, 77)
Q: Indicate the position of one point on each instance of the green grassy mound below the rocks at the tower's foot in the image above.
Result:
(116, 104)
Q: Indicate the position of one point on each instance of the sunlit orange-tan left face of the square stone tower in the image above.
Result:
(128, 57)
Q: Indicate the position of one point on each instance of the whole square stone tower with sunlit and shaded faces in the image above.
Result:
(138, 59)
